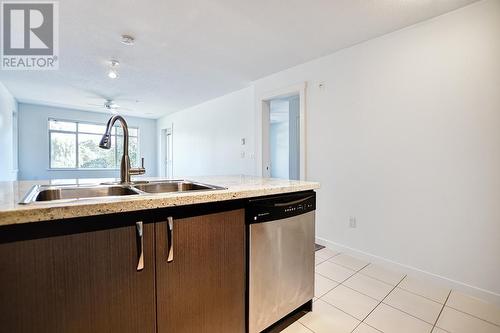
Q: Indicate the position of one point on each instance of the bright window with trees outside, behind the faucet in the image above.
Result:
(75, 145)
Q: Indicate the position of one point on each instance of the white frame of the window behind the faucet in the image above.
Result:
(77, 132)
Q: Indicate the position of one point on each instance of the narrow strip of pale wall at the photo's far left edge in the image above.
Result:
(8, 145)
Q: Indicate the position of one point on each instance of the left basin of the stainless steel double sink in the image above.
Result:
(51, 193)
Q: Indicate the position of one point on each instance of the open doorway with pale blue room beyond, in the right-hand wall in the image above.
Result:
(284, 137)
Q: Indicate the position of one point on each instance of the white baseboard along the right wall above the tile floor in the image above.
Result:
(486, 295)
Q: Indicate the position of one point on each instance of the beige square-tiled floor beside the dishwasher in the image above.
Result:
(355, 296)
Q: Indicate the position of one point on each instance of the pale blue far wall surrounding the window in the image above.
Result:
(34, 142)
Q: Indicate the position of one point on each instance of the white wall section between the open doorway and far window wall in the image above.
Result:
(207, 137)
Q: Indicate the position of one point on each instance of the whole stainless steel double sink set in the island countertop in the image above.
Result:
(43, 193)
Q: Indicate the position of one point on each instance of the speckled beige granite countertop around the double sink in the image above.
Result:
(238, 187)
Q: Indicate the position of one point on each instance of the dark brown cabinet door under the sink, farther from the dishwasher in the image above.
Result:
(83, 282)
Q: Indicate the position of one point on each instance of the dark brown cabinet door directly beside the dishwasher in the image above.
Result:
(203, 288)
